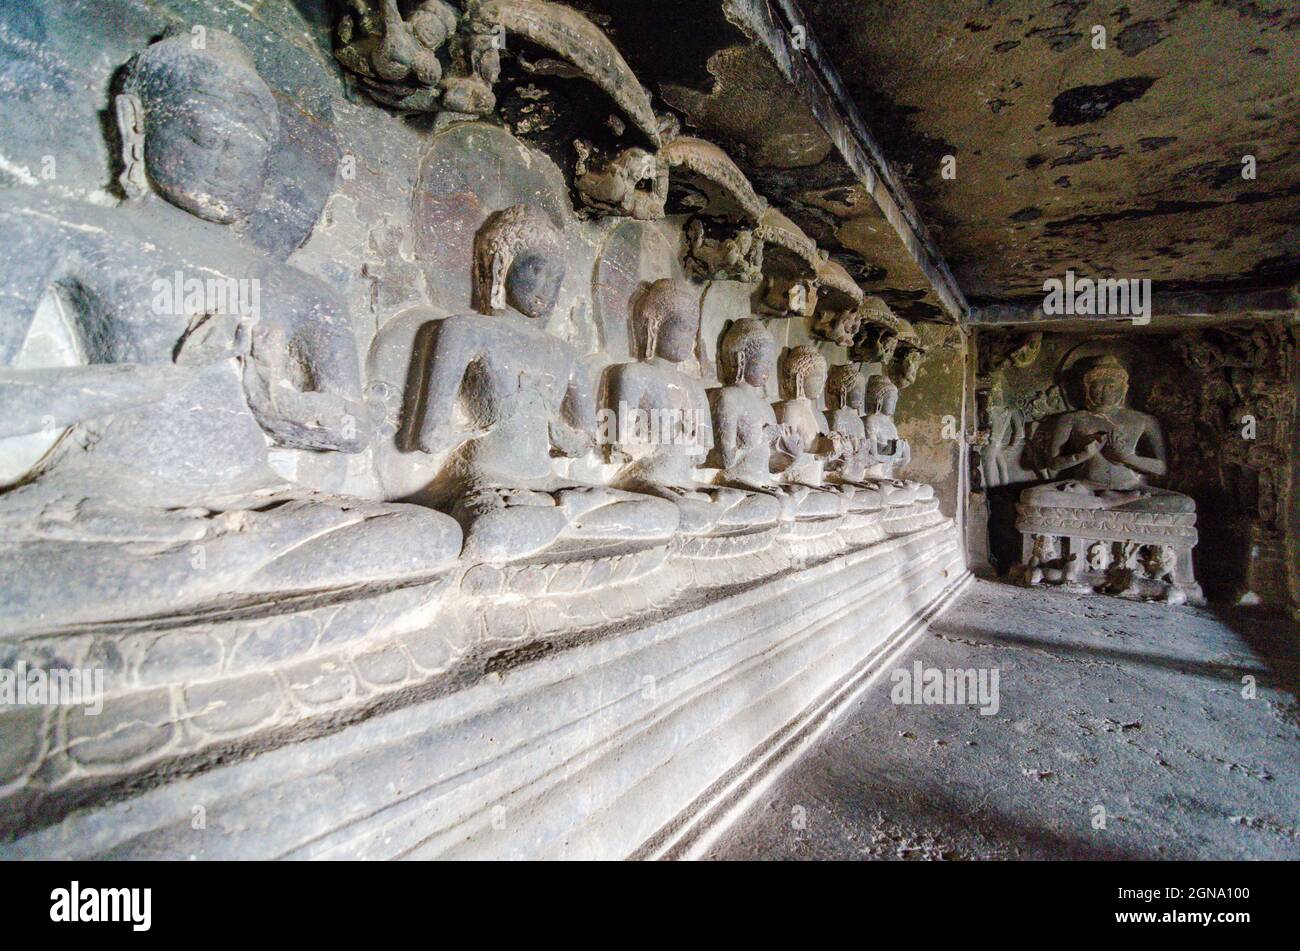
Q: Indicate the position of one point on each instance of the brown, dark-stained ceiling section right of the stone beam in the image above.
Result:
(1116, 136)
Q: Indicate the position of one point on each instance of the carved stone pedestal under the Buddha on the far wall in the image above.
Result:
(1139, 555)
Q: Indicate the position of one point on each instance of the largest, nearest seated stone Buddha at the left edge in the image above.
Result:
(171, 409)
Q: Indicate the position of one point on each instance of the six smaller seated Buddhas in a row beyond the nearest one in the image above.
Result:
(501, 398)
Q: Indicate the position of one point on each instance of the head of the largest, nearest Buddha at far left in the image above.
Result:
(200, 124)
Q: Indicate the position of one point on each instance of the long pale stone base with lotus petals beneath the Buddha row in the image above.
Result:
(189, 698)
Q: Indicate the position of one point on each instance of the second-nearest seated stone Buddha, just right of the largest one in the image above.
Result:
(501, 396)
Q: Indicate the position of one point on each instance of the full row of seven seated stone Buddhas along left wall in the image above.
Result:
(157, 427)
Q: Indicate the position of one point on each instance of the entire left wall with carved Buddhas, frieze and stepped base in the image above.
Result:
(352, 372)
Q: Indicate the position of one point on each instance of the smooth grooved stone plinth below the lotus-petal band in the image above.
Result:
(374, 789)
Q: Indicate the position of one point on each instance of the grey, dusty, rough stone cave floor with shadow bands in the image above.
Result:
(1104, 702)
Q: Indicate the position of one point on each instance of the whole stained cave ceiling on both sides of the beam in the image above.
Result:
(1124, 162)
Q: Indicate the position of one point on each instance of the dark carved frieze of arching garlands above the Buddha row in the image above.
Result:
(448, 60)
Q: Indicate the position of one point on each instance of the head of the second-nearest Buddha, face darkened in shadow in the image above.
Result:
(519, 263)
